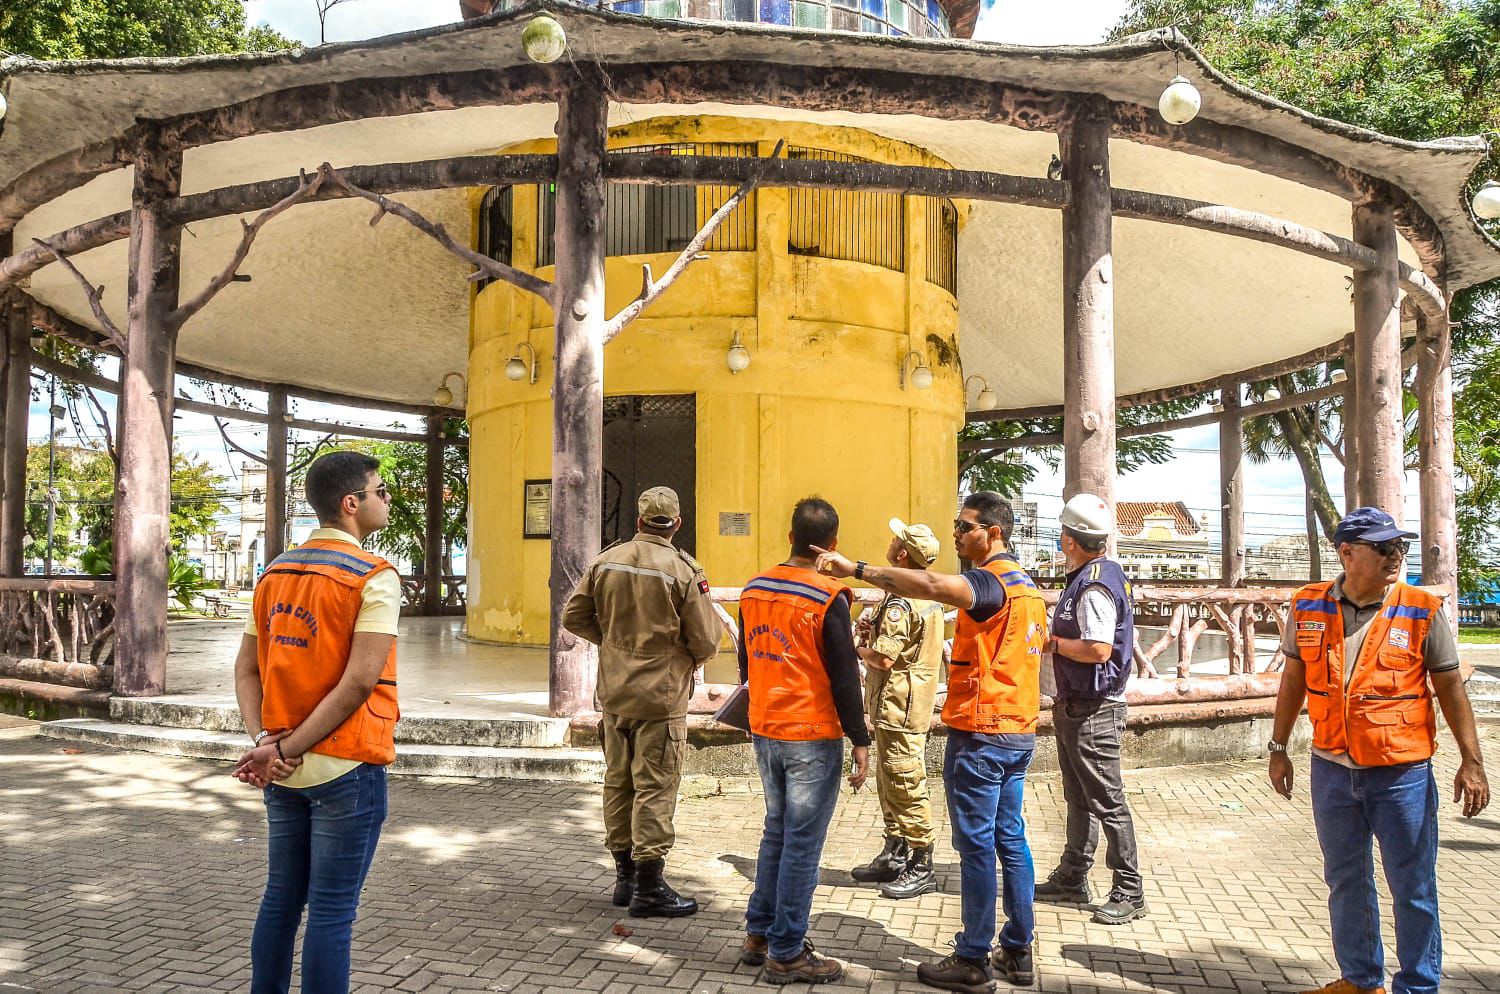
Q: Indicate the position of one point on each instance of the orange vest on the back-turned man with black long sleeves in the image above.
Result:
(784, 612)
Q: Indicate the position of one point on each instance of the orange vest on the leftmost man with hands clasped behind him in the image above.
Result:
(307, 605)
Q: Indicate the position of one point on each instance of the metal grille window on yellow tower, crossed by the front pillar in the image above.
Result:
(646, 218)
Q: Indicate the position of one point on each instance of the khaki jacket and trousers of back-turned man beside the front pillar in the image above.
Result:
(646, 605)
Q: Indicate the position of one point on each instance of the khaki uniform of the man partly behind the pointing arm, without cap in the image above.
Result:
(901, 705)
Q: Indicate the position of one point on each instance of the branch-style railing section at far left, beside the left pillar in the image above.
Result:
(58, 621)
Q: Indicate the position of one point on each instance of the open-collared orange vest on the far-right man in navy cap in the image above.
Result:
(1385, 714)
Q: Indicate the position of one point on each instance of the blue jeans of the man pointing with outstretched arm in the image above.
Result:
(985, 786)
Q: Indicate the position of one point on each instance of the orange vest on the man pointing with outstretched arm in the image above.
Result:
(995, 675)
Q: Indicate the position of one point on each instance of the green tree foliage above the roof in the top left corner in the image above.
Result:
(122, 29)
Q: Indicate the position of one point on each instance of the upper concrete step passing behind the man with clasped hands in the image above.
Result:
(515, 731)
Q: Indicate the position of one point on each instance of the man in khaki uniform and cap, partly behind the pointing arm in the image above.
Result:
(901, 645)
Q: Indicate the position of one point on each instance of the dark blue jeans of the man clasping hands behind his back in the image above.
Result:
(322, 843)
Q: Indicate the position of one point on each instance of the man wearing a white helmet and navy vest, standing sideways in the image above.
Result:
(1093, 645)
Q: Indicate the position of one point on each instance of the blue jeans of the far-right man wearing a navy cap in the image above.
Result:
(1399, 807)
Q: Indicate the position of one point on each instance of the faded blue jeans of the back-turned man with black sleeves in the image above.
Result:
(802, 789)
